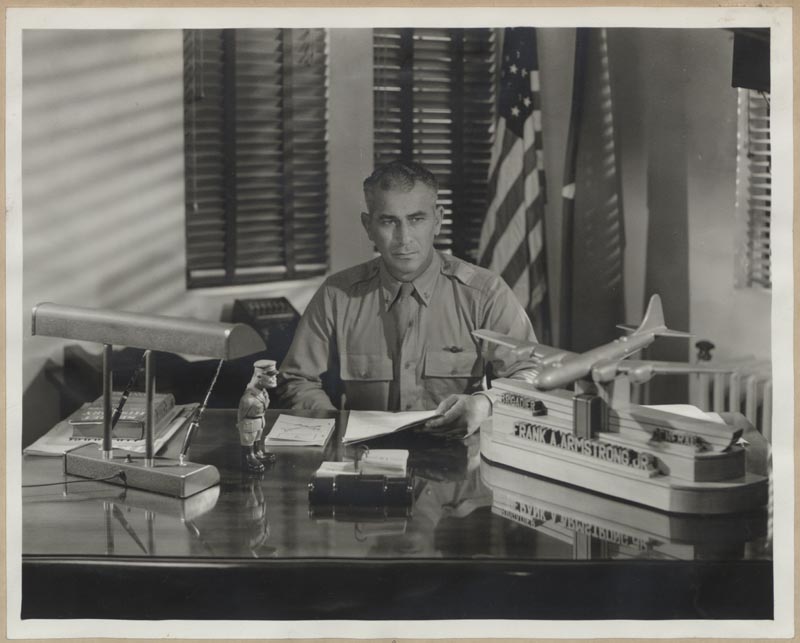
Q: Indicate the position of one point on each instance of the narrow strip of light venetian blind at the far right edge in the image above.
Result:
(758, 195)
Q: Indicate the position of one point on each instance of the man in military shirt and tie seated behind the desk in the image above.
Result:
(394, 333)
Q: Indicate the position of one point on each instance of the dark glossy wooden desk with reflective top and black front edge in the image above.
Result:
(251, 548)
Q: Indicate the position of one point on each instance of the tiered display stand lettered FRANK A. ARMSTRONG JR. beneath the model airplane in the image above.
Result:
(595, 439)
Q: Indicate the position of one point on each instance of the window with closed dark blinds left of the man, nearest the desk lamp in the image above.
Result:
(255, 103)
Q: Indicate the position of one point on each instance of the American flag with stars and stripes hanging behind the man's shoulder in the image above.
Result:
(512, 237)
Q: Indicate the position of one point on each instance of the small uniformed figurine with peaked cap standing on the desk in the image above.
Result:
(250, 416)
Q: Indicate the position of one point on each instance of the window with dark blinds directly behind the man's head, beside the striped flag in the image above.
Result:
(435, 103)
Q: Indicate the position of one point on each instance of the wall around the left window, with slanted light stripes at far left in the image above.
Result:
(103, 186)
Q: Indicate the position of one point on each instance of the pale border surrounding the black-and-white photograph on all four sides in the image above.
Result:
(778, 19)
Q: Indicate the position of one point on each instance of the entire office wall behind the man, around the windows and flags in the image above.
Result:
(103, 177)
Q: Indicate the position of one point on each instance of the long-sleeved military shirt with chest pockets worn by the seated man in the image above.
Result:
(344, 352)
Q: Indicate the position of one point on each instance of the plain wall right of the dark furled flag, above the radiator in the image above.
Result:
(677, 114)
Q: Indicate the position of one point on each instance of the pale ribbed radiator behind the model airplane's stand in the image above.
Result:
(746, 388)
